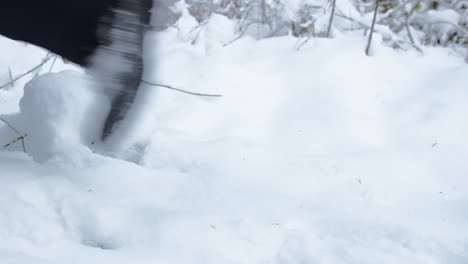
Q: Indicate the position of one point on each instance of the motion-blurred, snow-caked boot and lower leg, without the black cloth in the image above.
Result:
(118, 63)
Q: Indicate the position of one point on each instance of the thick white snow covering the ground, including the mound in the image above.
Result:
(316, 155)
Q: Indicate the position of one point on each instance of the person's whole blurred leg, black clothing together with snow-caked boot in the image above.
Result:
(105, 36)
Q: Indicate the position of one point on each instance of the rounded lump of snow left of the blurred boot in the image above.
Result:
(60, 111)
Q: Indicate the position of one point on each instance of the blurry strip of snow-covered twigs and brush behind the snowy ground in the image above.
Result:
(403, 24)
